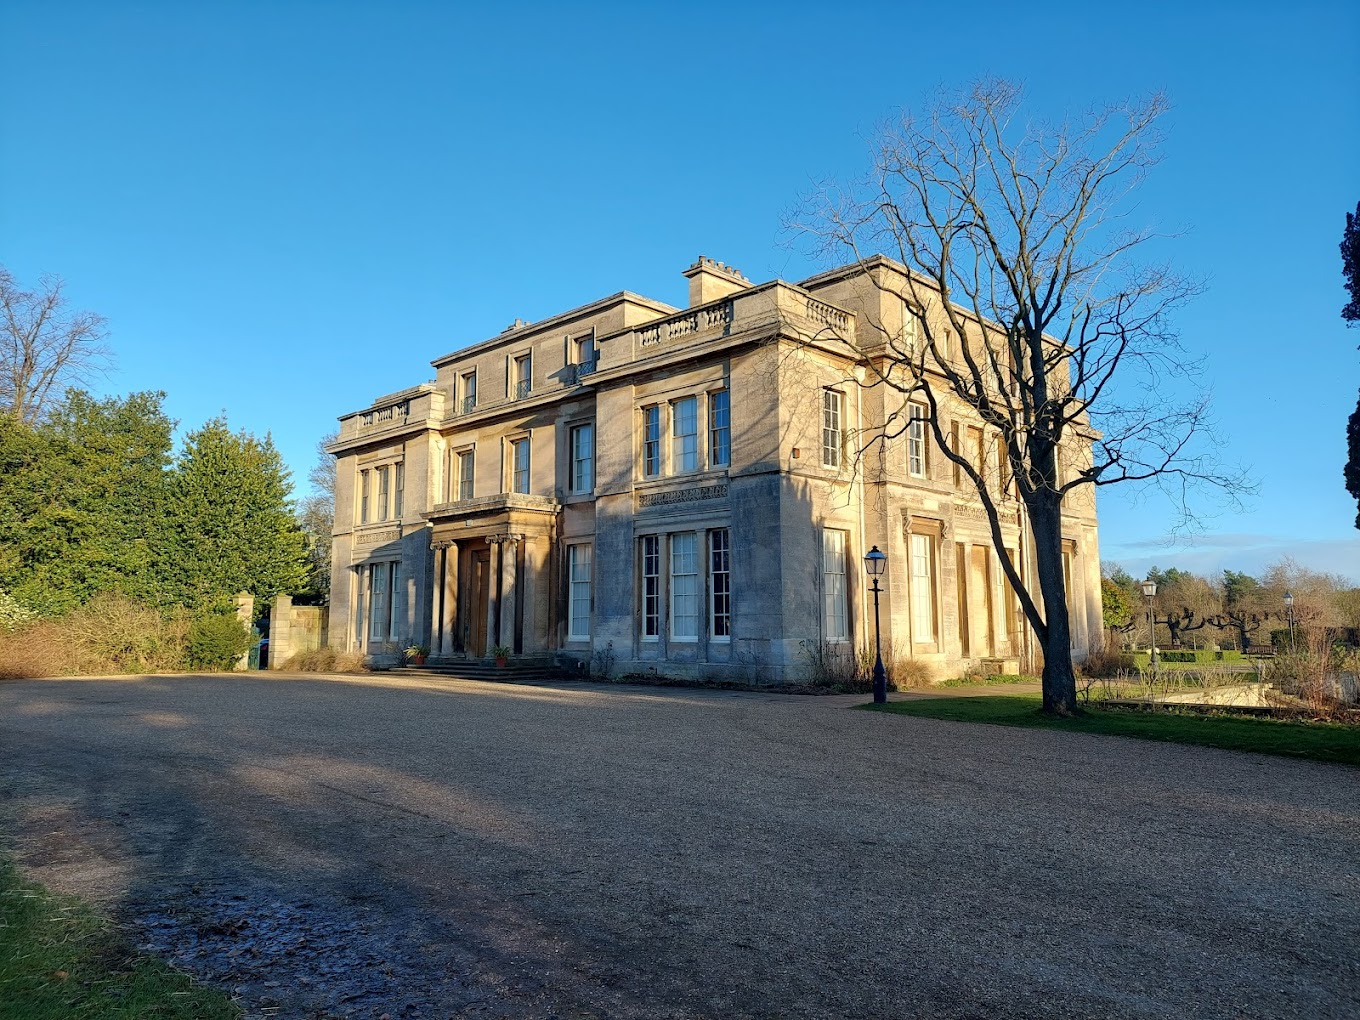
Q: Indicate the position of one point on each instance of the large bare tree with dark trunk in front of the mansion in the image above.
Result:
(1032, 311)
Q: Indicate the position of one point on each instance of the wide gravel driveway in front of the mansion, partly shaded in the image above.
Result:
(334, 848)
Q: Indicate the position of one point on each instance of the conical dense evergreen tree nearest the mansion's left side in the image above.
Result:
(231, 522)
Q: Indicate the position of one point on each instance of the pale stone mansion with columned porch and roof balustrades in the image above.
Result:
(679, 490)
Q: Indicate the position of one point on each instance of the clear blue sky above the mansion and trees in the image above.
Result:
(289, 209)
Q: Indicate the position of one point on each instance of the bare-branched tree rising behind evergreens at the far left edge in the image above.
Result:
(44, 347)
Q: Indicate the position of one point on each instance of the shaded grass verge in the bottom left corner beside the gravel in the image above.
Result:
(59, 961)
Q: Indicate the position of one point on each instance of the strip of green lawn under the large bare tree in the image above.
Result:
(1321, 742)
